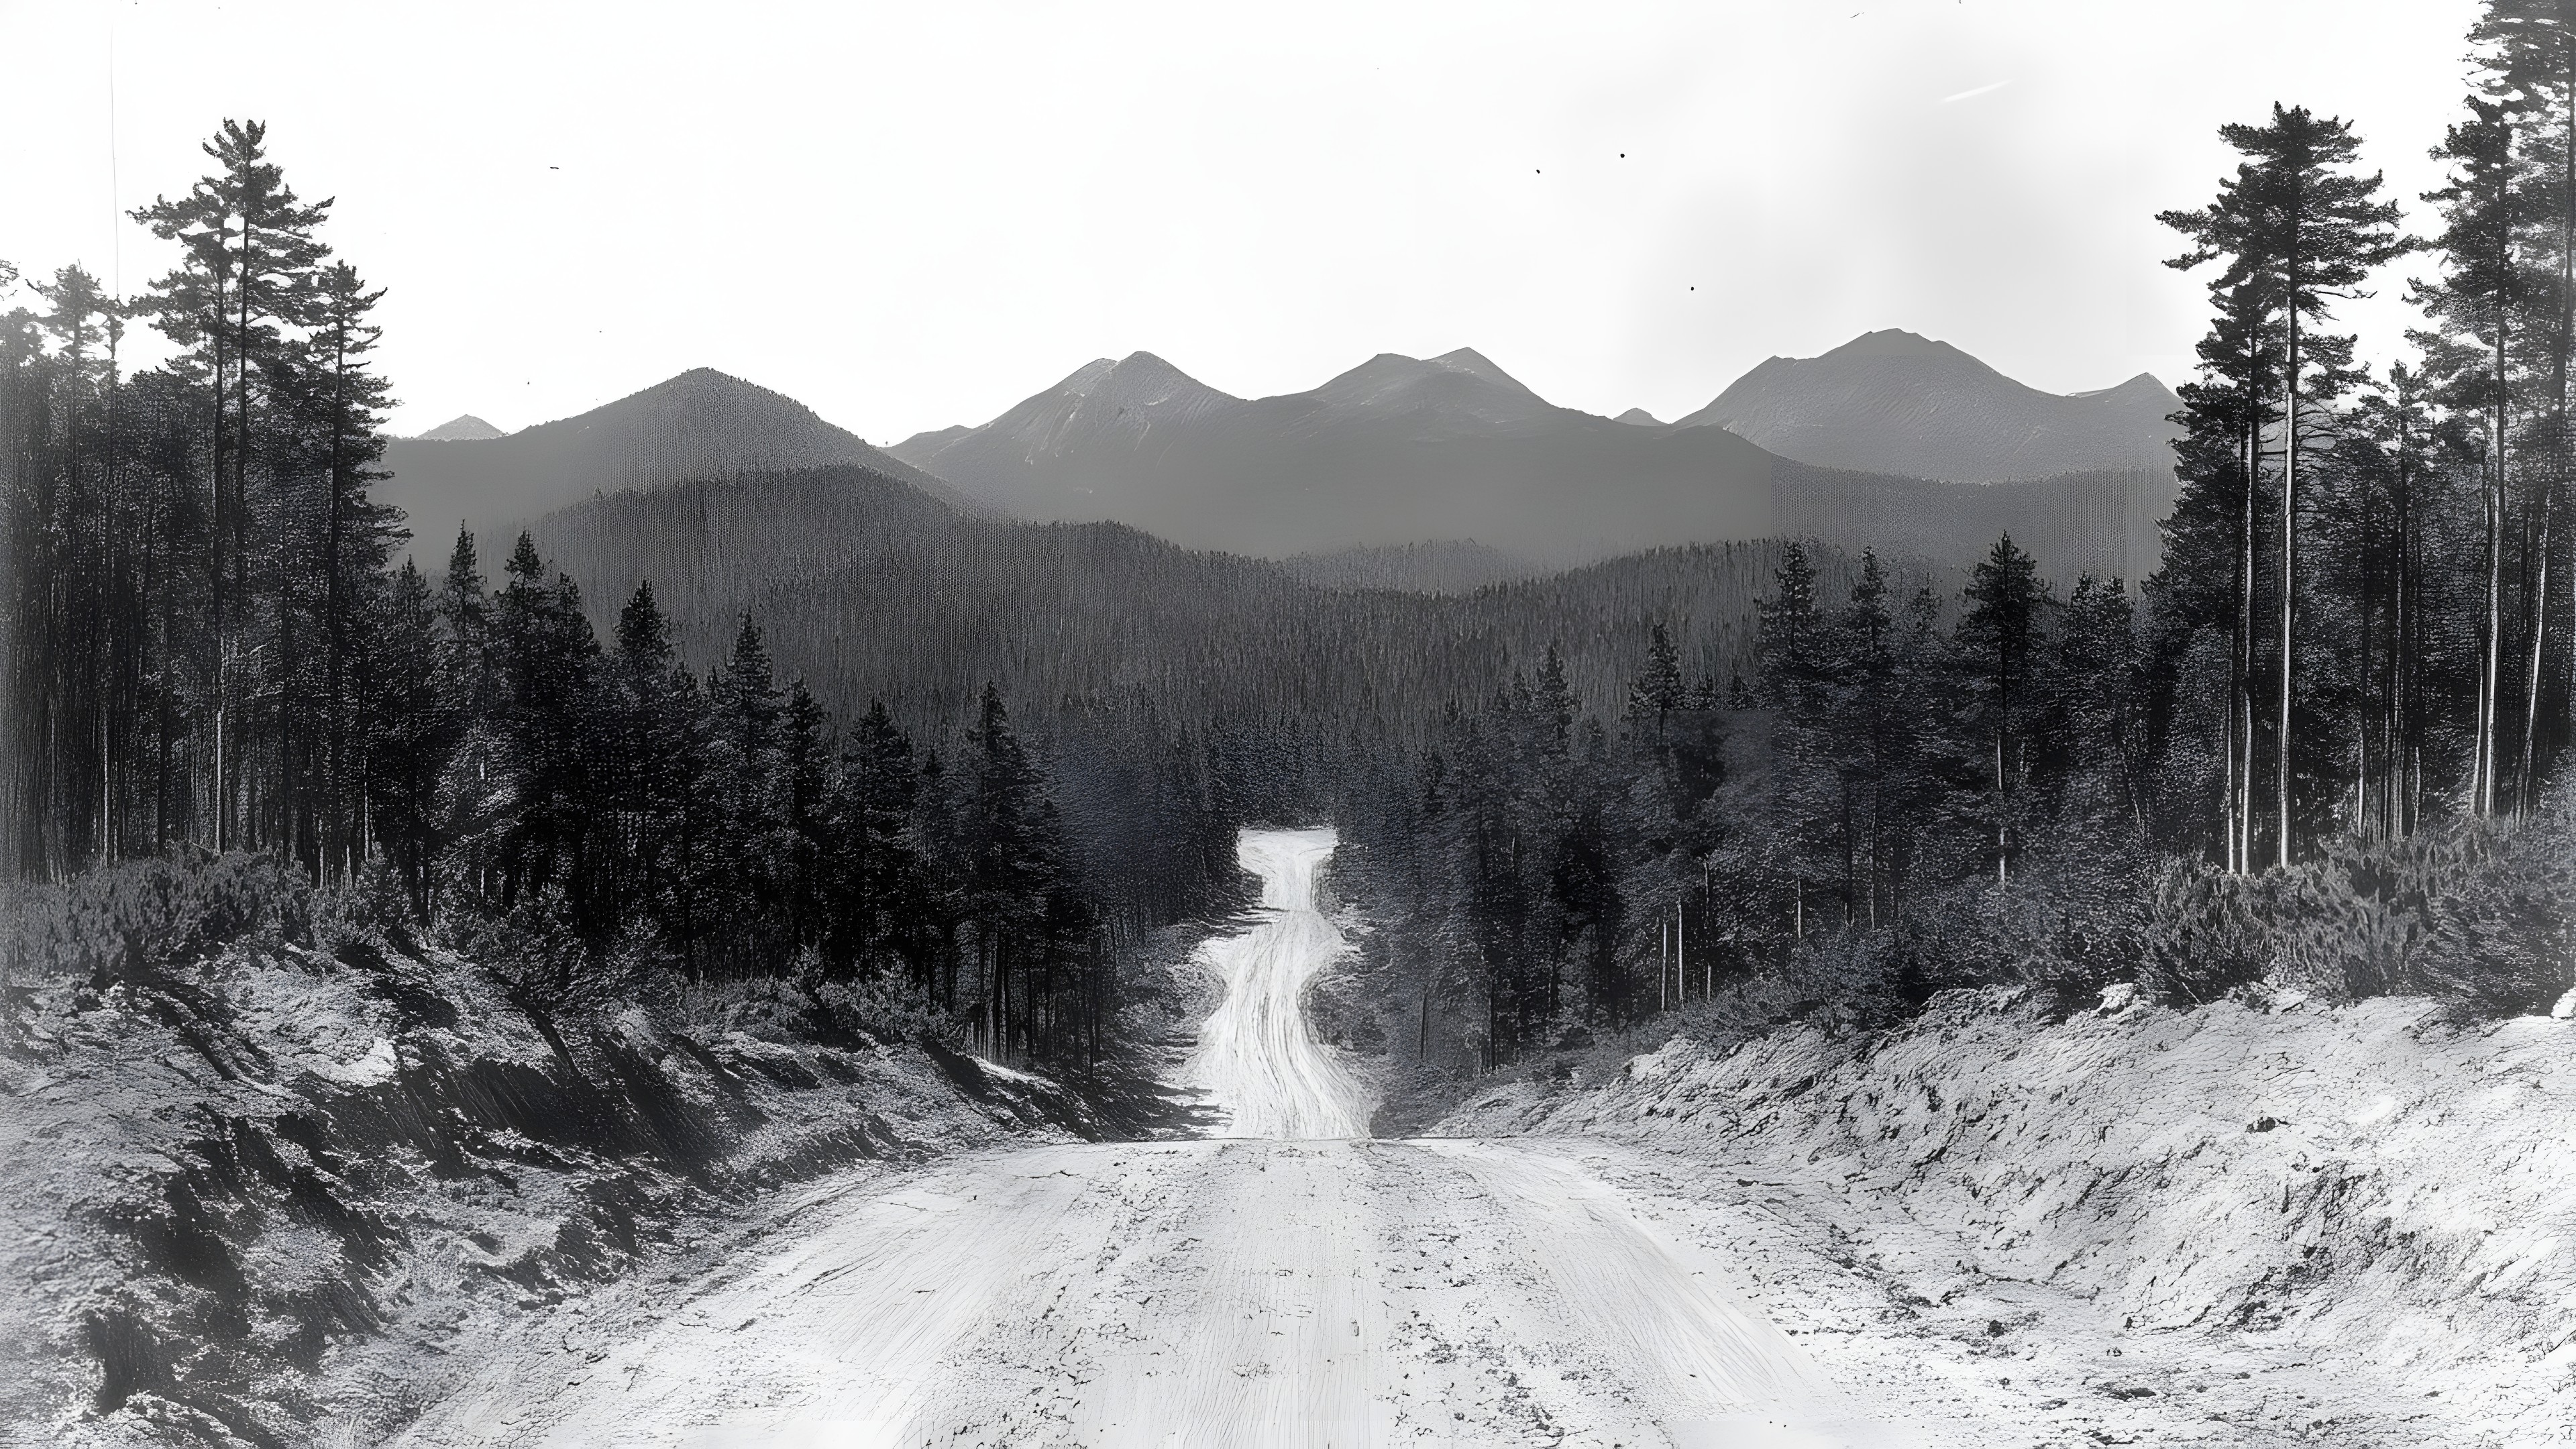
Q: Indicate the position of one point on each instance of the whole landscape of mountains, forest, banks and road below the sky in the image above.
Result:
(1892, 909)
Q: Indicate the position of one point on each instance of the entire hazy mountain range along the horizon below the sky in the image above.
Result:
(1423, 476)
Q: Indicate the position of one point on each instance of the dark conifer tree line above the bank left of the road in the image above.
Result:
(213, 648)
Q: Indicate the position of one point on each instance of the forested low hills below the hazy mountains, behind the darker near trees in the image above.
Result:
(872, 589)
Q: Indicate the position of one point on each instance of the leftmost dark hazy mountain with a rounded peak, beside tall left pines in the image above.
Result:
(699, 424)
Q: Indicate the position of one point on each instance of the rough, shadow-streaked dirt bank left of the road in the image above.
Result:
(261, 1198)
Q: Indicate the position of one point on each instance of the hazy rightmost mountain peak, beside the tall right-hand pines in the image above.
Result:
(1897, 404)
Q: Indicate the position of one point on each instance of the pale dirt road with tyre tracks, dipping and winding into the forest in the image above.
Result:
(1289, 1283)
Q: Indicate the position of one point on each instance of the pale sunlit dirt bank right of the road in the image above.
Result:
(2369, 1198)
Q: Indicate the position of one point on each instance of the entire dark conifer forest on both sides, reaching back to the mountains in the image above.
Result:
(826, 726)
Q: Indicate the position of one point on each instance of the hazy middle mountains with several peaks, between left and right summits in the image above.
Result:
(1392, 452)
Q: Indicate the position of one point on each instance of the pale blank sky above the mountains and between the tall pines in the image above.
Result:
(916, 215)
